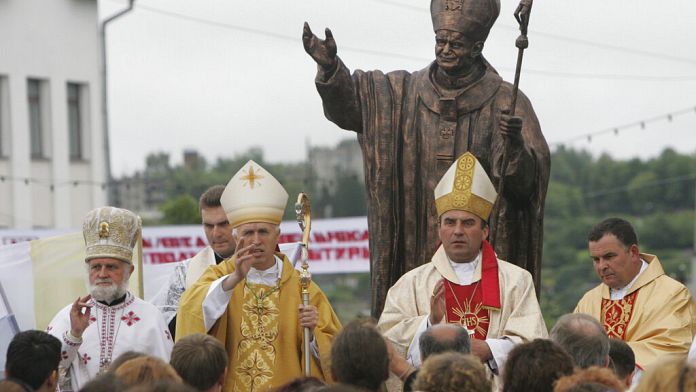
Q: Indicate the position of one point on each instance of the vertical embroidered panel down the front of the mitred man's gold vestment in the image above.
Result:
(256, 353)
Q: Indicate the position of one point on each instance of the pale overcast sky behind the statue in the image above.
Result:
(220, 76)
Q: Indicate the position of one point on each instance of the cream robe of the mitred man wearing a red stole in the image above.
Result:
(408, 302)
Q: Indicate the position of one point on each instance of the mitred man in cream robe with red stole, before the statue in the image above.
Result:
(464, 283)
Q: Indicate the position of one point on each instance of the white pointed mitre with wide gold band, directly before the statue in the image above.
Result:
(465, 186)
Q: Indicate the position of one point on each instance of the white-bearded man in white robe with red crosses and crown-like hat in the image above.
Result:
(109, 320)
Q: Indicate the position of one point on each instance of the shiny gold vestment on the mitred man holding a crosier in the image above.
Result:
(260, 328)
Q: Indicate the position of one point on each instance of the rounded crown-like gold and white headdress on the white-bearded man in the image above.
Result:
(110, 232)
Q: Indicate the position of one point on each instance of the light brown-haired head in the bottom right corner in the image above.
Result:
(673, 374)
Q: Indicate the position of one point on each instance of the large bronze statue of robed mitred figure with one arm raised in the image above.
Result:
(412, 126)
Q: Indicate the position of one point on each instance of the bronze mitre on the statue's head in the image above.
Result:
(473, 18)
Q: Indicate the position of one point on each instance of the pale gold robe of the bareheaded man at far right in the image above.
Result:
(662, 319)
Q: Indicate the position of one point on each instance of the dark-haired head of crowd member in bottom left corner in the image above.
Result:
(33, 358)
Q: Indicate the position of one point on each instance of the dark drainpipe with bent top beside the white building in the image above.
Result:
(105, 99)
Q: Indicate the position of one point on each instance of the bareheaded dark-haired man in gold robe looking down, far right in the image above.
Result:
(636, 301)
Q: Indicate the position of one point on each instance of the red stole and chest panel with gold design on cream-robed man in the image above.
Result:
(469, 305)
